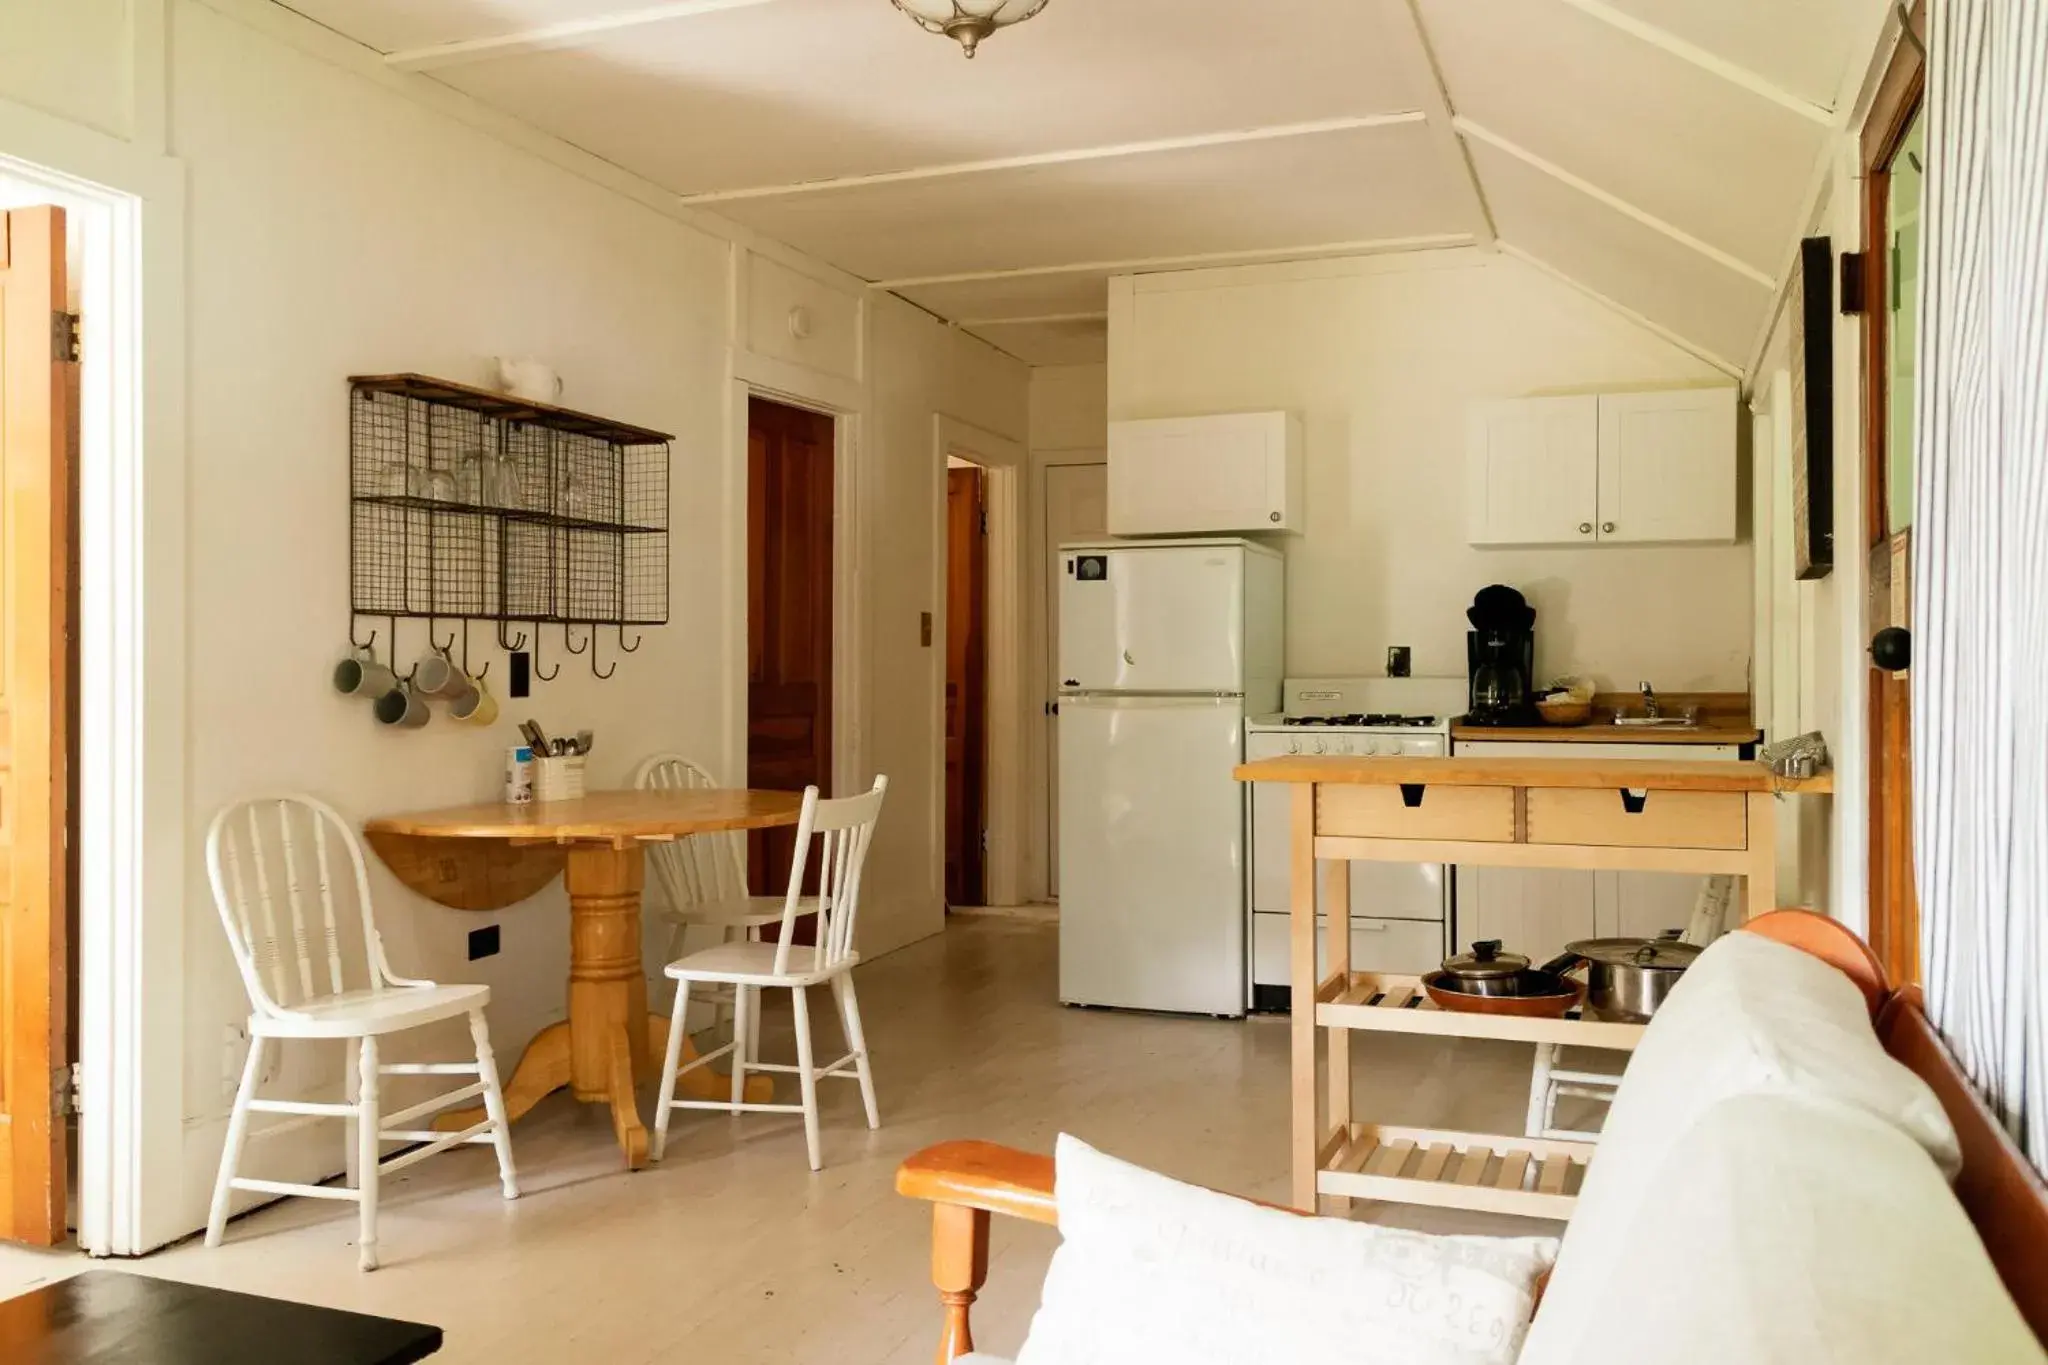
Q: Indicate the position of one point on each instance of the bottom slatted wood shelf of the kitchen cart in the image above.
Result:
(1533, 1178)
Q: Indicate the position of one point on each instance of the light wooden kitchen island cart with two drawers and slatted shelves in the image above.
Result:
(1508, 813)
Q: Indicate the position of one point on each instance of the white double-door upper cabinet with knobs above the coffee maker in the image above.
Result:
(1613, 470)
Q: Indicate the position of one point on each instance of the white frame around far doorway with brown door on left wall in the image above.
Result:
(1002, 805)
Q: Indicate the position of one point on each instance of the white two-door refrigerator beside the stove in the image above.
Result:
(1162, 650)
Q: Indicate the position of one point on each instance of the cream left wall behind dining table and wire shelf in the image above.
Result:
(341, 222)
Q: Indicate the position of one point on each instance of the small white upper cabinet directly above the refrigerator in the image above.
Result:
(1207, 476)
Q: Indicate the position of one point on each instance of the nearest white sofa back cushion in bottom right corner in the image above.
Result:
(1791, 1231)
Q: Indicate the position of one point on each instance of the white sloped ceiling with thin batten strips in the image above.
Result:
(1660, 155)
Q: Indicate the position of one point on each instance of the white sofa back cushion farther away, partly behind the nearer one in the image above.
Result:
(1750, 1018)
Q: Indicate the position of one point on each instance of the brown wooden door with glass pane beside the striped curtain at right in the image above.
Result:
(1895, 169)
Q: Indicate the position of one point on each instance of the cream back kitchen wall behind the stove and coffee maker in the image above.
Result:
(1383, 359)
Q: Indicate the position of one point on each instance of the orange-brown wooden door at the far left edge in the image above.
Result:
(38, 447)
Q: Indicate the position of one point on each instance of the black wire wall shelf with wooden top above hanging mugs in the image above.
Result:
(470, 504)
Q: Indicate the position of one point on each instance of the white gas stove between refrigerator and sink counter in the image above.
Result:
(1402, 914)
